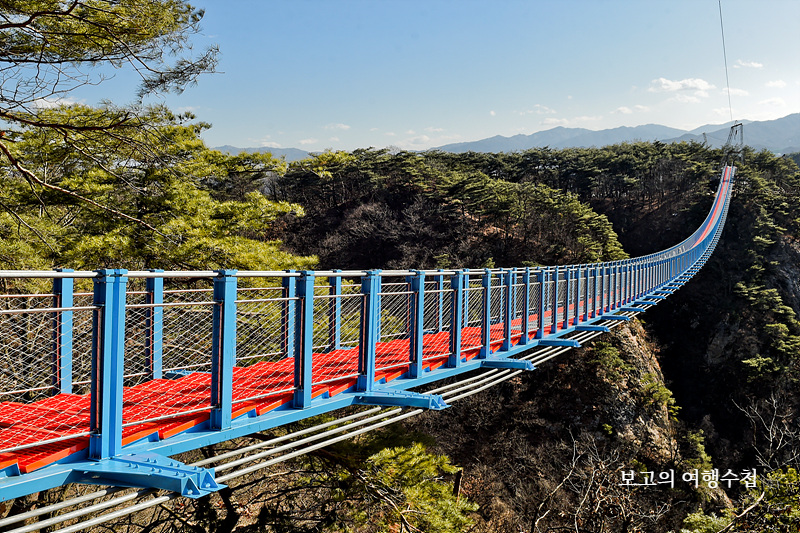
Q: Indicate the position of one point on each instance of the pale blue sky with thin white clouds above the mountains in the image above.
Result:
(415, 74)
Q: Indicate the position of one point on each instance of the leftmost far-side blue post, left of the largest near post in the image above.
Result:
(63, 290)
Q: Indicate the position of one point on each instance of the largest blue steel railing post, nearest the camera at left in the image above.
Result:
(108, 345)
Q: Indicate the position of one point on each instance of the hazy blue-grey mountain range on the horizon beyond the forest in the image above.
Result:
(781, 136)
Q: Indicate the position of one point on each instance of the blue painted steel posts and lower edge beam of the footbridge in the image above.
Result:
(613, 287)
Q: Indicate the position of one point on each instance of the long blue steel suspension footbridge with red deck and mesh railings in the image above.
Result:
(360, 337)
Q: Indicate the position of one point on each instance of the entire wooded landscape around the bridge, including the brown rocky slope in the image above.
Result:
(705, 382)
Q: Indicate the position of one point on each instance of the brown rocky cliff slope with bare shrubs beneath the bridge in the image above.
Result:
(548, 448)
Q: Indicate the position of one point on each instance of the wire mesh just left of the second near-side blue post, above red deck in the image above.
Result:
(187, 330)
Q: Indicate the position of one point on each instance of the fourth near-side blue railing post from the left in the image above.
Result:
(370, 316)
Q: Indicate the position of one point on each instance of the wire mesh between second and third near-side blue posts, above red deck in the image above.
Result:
(261, 320)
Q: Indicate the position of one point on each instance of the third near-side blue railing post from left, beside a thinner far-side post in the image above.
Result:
(304, 341)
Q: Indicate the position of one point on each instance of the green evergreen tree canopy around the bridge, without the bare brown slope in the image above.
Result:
(135, 187)
